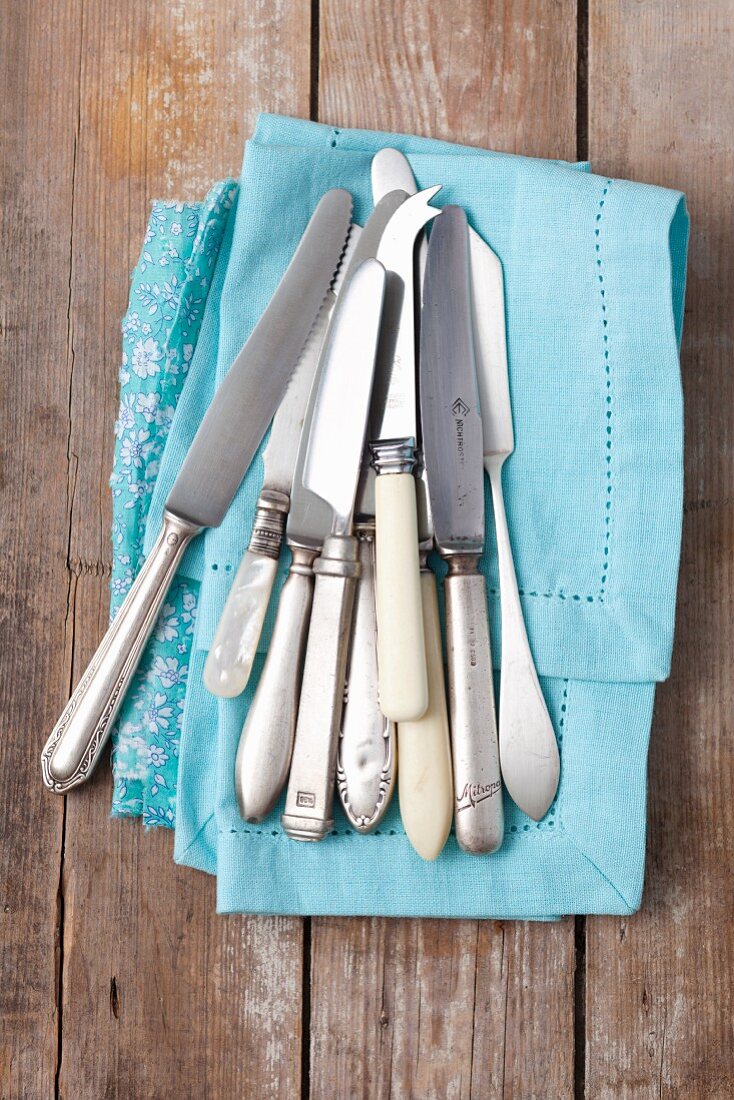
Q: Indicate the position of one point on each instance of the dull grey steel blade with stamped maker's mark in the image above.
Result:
(450, 395)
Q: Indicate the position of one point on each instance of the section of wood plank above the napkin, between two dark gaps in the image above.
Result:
(495, 74)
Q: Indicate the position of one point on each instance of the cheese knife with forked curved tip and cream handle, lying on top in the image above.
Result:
(401, 647)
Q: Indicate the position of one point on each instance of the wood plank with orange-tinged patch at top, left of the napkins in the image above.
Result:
(160, 997)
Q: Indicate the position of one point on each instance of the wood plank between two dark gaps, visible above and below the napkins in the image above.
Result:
(420, 1008)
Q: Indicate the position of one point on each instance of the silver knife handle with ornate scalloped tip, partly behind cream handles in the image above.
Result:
(367, 755)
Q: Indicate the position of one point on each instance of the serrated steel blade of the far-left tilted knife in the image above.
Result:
(244, 405)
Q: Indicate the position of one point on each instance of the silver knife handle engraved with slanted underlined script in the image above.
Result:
(477, 782)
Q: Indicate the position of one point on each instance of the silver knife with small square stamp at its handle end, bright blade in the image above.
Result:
(332, 471)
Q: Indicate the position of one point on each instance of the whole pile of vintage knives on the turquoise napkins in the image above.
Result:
(384, 357)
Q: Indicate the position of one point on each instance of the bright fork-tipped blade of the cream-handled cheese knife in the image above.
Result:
(396, 415)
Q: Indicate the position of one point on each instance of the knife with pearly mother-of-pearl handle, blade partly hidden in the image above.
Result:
(235, 644)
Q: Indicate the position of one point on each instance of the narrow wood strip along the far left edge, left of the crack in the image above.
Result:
(36, 219)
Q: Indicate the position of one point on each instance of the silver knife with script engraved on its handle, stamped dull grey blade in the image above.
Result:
(453, 443)
